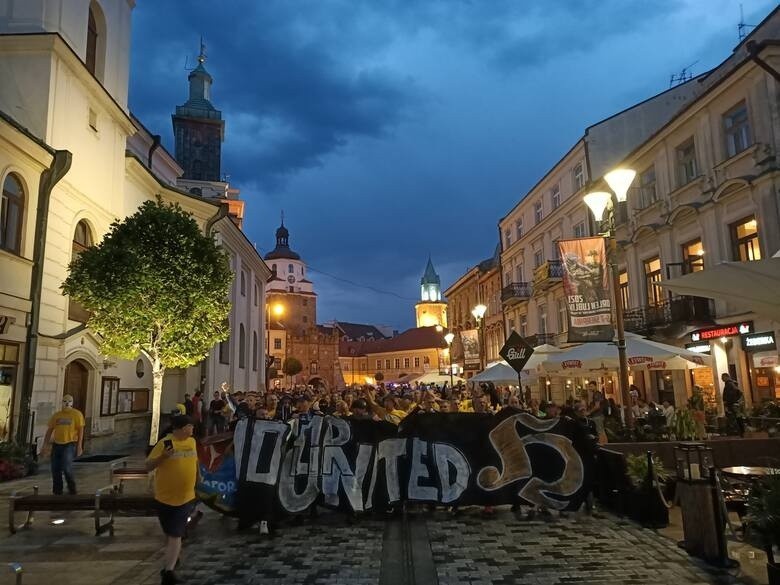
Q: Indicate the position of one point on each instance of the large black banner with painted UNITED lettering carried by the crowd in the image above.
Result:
(360, 465)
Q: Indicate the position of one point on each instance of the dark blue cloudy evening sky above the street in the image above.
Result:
(388, 130)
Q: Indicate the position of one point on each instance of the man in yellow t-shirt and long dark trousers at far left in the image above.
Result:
(65, 440)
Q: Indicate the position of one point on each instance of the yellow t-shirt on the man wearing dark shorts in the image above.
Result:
(174, 478)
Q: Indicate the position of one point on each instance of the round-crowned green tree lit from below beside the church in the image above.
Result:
(156, 285)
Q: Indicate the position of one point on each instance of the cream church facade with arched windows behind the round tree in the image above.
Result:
(69, 145)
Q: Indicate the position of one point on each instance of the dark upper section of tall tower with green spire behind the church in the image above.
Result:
(199, 129)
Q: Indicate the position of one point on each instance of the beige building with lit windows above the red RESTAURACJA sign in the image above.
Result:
(707, 192)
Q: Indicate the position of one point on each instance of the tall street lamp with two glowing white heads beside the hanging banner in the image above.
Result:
(619, 180)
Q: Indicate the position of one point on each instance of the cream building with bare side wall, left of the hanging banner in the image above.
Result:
(532, 290)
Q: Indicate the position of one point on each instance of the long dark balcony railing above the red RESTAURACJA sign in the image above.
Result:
(679, 310)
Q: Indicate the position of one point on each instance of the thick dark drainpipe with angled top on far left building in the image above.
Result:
(49, 178)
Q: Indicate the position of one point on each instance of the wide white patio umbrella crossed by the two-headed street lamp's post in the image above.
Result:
(604, 356)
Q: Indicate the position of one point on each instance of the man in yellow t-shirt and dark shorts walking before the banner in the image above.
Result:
(174, 460)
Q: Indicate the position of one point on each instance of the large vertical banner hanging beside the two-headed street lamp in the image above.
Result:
(586, 286)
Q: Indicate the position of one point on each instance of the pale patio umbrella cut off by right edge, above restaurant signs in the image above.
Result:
(753, 285)
